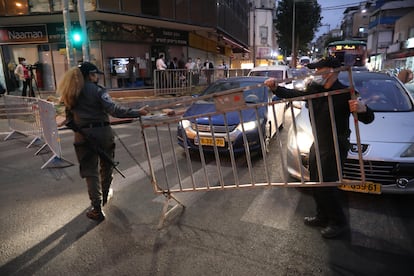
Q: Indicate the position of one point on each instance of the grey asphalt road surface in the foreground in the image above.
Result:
(44, 230)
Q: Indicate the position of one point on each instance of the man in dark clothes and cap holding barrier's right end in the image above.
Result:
(329, 214)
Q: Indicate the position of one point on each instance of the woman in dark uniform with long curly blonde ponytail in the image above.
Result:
(88, 106)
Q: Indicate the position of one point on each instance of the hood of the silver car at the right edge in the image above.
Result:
(395, 127)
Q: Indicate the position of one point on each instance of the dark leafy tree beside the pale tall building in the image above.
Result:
(307, 21)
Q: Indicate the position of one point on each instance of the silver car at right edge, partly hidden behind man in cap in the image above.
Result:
(387, 142)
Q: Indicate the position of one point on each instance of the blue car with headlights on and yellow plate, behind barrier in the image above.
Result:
(203, 124)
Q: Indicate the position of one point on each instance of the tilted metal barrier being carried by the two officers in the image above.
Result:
(216, 171)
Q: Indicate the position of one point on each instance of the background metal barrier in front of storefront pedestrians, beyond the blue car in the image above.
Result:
(183, 81)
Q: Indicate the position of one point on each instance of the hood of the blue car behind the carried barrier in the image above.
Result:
(218, 119)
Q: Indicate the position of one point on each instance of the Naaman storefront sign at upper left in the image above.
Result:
(23, 34)
